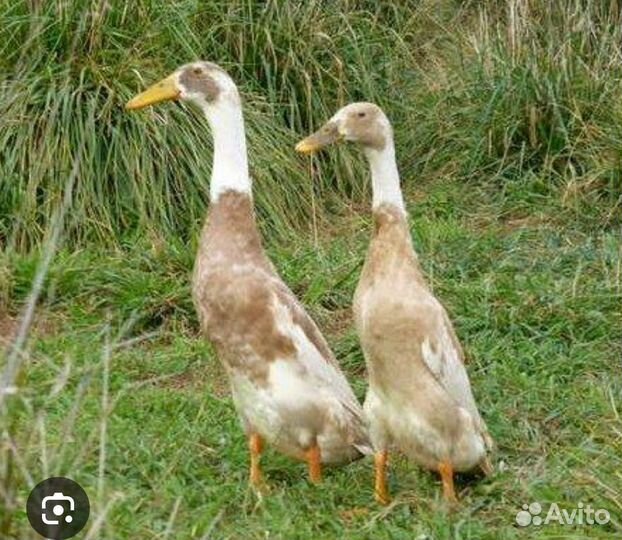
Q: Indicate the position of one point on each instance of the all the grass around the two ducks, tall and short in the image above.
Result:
(507, 119)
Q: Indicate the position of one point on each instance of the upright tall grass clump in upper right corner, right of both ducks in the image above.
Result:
(534, 89)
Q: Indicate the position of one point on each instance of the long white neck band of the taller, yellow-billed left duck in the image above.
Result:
(230, 166)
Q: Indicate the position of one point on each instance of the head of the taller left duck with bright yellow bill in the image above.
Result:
(203, 83)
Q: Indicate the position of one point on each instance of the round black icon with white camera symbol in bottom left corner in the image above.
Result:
(58, 508)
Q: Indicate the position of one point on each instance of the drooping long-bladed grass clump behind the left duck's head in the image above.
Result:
(70, 66)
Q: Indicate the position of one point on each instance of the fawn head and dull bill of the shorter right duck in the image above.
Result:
(363, 123)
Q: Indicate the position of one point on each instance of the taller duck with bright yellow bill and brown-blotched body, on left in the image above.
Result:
(286, 384)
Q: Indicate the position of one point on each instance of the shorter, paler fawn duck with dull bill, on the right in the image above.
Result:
(419, 399)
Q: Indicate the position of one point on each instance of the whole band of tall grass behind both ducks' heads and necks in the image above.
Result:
(488, 92)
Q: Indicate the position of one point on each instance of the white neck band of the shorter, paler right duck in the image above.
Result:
(385, 177)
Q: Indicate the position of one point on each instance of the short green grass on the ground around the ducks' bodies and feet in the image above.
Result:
(537, 305)
